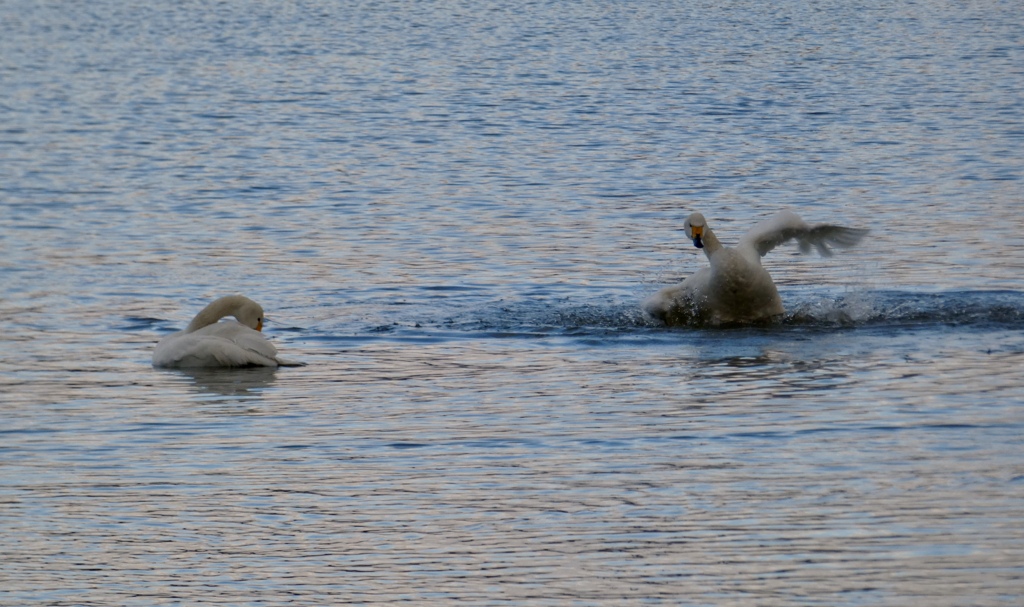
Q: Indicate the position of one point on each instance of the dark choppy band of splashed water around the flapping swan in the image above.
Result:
(614, 319)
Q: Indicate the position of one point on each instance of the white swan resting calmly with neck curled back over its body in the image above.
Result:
(207, 343)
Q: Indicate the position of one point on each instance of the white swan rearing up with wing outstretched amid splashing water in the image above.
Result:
(736, 288)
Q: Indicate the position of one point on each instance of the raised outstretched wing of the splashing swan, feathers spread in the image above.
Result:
(787, 226)
